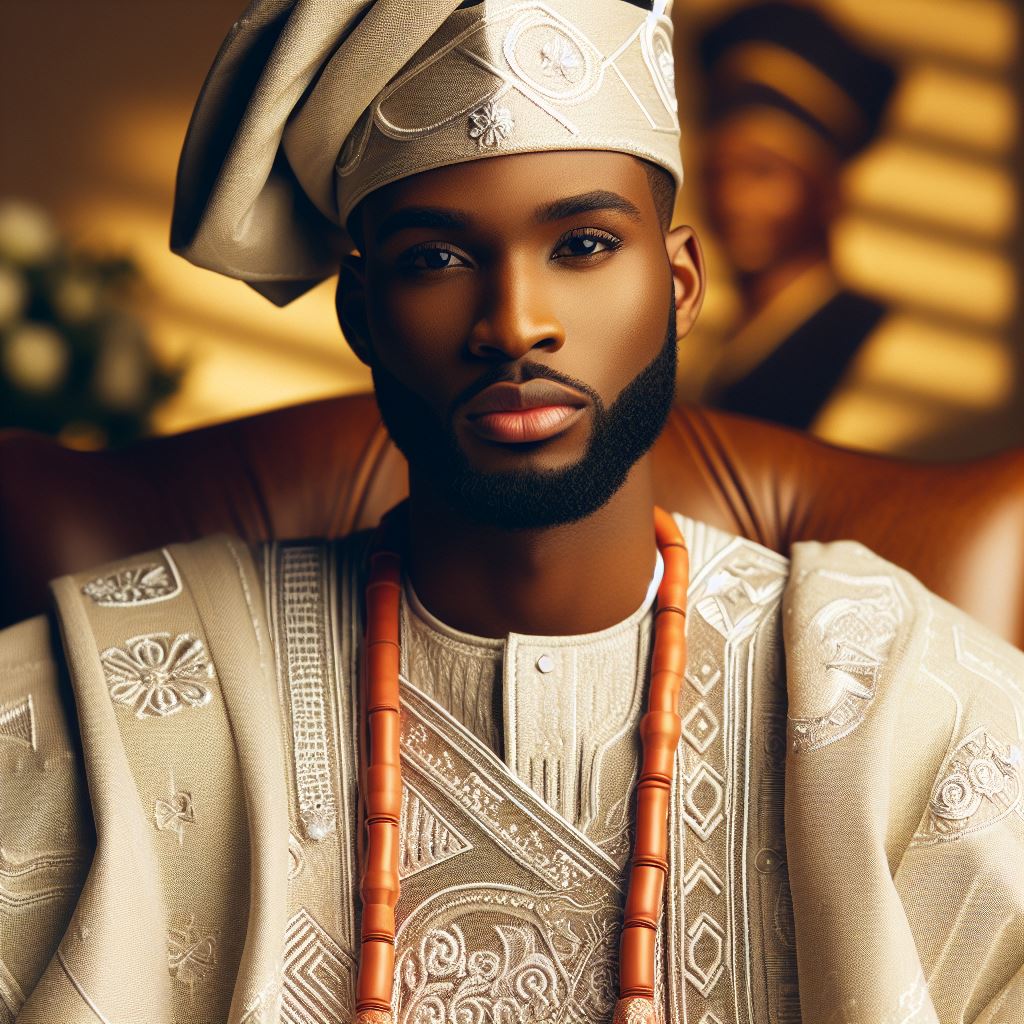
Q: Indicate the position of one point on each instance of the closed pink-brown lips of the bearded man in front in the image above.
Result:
(520, 414)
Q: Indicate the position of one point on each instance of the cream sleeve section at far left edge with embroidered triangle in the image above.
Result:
(47, 834)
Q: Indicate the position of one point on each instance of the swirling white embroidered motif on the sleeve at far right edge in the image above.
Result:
(980, 785)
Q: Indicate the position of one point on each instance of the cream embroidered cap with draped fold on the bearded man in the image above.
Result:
(312, 105)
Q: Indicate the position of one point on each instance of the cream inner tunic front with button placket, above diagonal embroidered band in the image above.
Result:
(563, 713)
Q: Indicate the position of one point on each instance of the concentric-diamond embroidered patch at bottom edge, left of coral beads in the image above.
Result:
(319, 975)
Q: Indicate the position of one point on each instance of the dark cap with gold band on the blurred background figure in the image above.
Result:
(791, 58)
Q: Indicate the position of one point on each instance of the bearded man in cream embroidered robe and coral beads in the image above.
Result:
(502, 174)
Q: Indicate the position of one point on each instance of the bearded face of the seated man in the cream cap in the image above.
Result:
(521, 317)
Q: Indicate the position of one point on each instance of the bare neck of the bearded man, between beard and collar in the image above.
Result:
(576, 579)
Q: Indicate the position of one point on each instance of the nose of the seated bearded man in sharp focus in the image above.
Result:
(520, 317)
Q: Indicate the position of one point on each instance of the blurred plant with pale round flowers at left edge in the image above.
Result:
(75, 361)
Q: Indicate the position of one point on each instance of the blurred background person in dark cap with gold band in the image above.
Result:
(791, 102)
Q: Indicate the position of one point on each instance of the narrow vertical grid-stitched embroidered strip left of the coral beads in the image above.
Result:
(305, 642)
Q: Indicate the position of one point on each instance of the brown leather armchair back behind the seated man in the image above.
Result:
(326, 468)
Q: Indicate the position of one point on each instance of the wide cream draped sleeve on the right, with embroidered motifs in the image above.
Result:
(904, 814)
